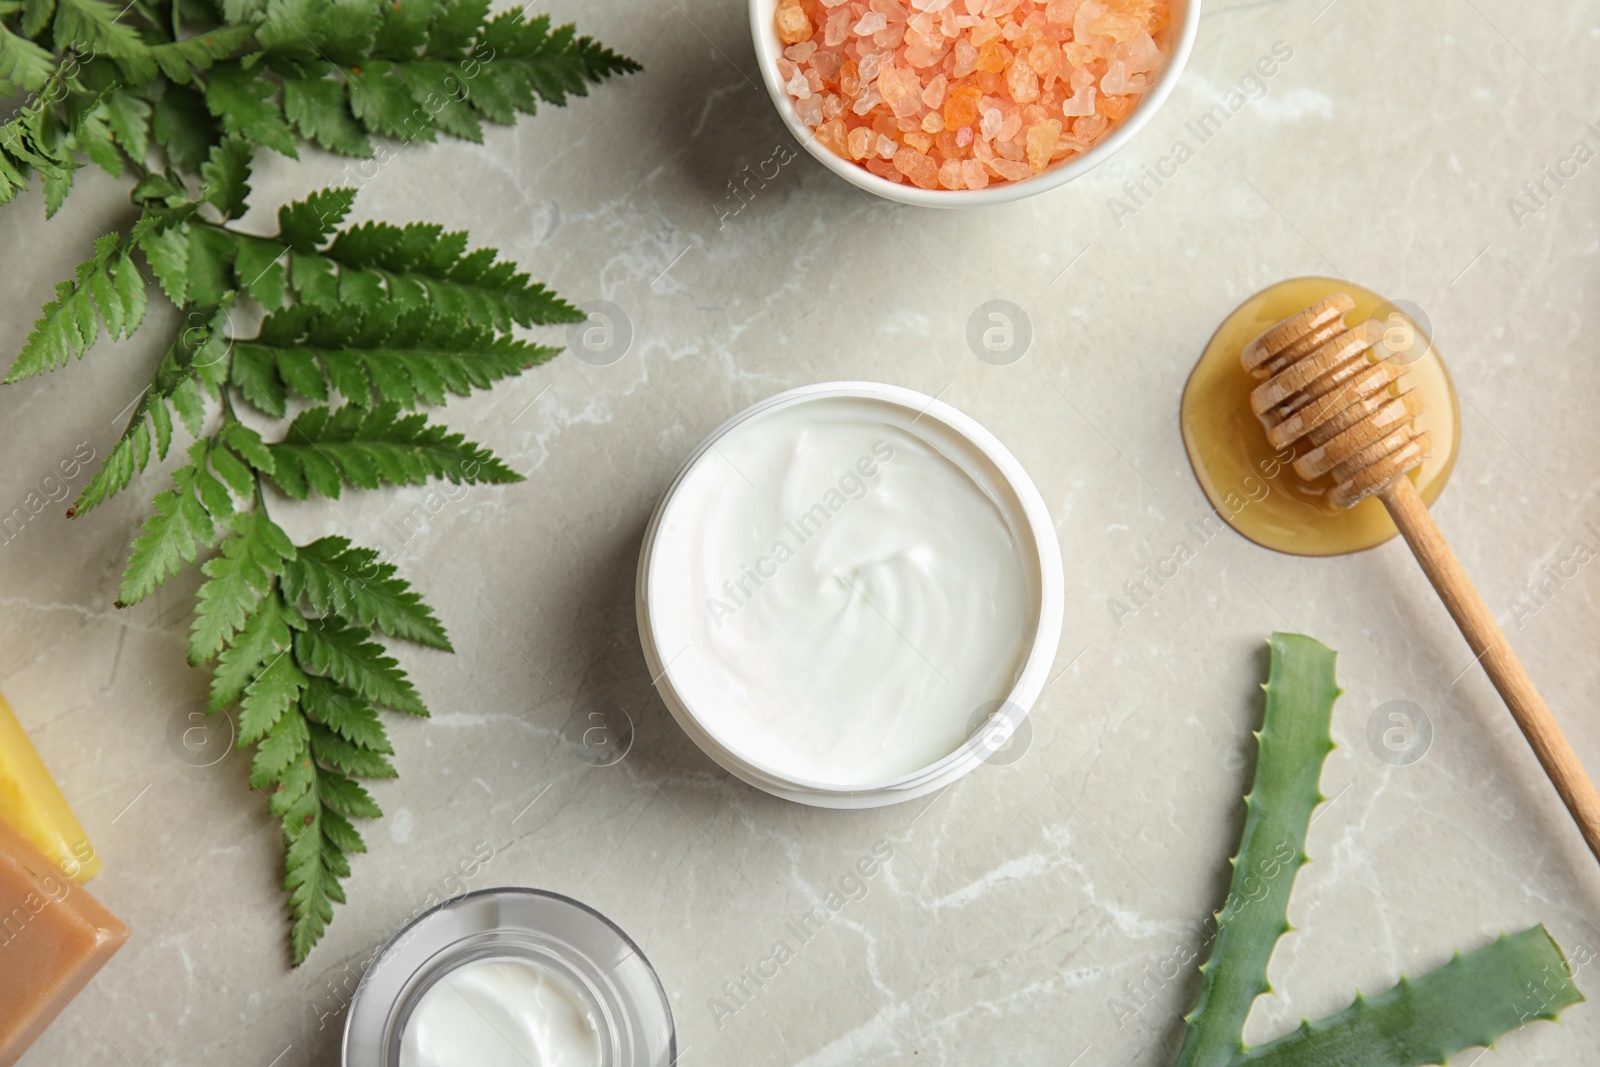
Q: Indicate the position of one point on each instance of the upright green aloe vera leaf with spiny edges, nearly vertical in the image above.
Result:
(1295, 741)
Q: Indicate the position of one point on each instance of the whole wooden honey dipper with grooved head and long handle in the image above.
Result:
(1327, 398)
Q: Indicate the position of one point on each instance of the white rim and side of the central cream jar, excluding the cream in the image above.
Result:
(663, 628)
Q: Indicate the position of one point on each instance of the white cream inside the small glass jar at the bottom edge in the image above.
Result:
(502, 1013)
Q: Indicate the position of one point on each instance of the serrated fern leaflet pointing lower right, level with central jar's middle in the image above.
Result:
(338, 578)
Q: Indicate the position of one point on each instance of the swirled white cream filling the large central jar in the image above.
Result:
(852, 593)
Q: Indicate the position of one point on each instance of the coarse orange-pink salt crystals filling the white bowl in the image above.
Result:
(962, 94)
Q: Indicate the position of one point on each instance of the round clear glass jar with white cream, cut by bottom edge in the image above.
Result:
(511, 978)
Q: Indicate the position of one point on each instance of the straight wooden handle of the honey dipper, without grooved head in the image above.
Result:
(1492, 649)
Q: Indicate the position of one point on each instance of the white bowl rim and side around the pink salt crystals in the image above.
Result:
(1177, 41)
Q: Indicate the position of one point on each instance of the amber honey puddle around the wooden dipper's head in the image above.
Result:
(1254, 487)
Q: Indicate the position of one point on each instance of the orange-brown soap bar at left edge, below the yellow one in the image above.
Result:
(54, 938)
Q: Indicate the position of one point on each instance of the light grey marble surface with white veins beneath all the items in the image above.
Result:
(1022, 903)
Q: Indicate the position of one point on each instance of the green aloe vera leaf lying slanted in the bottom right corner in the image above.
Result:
(1470, 1002)
